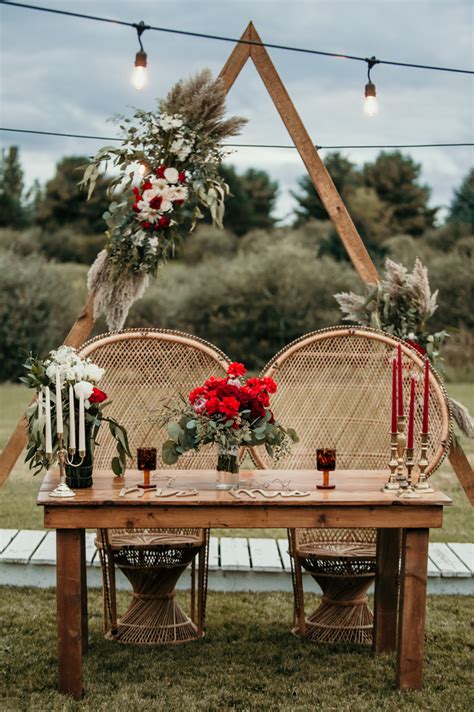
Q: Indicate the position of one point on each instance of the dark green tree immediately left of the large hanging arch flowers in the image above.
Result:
(64, 202)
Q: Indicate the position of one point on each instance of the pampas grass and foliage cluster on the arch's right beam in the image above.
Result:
(402, 304)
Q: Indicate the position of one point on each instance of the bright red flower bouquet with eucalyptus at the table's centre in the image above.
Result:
(229, 412)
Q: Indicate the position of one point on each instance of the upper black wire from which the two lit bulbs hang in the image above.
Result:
(235, 40)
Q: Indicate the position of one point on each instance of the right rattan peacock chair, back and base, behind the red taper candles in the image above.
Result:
(334, 388)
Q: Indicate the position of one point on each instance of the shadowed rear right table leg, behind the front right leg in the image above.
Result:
(386, 590)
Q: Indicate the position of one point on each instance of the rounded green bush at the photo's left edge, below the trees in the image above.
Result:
(38, 305)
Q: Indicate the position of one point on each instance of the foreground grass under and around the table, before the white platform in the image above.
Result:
(247, 661)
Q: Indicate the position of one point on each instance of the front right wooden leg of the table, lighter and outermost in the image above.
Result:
(411, 620)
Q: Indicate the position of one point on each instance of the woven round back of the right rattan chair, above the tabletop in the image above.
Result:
(334, 388)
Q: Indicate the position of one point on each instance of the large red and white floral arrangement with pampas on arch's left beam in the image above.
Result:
(168, 169)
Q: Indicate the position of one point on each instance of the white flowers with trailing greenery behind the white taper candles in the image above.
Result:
(64, 372)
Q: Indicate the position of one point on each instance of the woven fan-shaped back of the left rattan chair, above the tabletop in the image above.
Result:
(144, 371)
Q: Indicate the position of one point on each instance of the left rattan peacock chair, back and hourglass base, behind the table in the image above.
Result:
(144, 370)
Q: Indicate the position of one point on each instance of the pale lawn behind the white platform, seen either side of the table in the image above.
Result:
(18, 508)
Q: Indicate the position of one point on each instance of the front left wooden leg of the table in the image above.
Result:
(69, 610)
